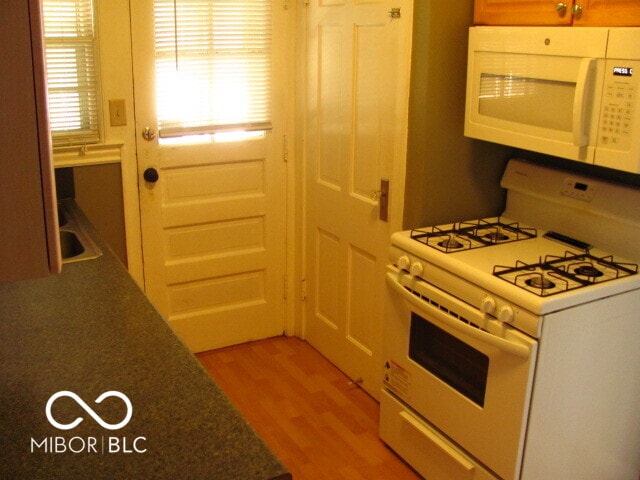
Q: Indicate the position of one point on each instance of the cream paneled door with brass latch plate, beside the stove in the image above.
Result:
(358, 56)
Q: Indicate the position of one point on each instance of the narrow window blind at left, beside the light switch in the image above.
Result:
(71, 71)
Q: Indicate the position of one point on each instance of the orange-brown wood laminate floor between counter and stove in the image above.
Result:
(304, 408)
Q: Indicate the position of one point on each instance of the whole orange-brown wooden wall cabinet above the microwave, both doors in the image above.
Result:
(593, 13)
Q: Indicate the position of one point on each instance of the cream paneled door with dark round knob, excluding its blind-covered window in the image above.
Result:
(213, 224)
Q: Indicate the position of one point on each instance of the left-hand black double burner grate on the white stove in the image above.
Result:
(472, 234)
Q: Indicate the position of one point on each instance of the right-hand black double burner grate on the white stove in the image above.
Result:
(560, 274)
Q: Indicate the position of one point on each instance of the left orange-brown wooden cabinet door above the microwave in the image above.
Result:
(522, 12)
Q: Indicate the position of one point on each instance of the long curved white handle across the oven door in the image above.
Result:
(503, 344)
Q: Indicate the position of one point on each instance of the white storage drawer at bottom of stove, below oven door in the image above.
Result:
(426, 450)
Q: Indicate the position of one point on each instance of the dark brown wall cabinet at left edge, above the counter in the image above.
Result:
(29, 238)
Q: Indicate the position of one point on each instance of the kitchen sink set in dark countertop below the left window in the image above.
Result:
(76, 243)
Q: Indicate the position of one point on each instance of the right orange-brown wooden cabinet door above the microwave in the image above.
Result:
(608, 13)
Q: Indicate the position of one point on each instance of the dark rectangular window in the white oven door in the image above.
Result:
(451, 360)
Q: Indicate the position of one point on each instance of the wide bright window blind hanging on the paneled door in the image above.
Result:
(213, 66)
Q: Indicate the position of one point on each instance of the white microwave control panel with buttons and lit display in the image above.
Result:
(619, 103)
